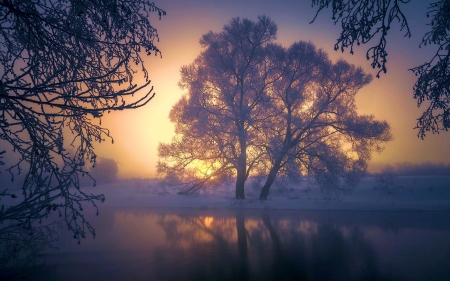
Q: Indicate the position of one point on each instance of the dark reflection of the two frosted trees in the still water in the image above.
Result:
(260, 248)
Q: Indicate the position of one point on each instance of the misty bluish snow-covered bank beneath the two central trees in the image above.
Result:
(421, 193)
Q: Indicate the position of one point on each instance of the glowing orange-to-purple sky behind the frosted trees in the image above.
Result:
(137, 133)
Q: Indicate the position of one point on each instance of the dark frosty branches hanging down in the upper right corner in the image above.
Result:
(365, 20)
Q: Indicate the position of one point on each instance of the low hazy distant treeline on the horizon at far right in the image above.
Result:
(422, 169)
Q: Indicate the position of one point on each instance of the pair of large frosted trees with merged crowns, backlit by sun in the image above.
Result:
(273, 107)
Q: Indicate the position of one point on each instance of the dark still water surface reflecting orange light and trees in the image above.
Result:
(179, 244)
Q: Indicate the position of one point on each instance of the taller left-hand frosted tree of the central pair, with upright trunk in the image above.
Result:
(216, 122)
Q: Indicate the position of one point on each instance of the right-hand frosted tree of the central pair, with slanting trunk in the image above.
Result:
(315, 129)
